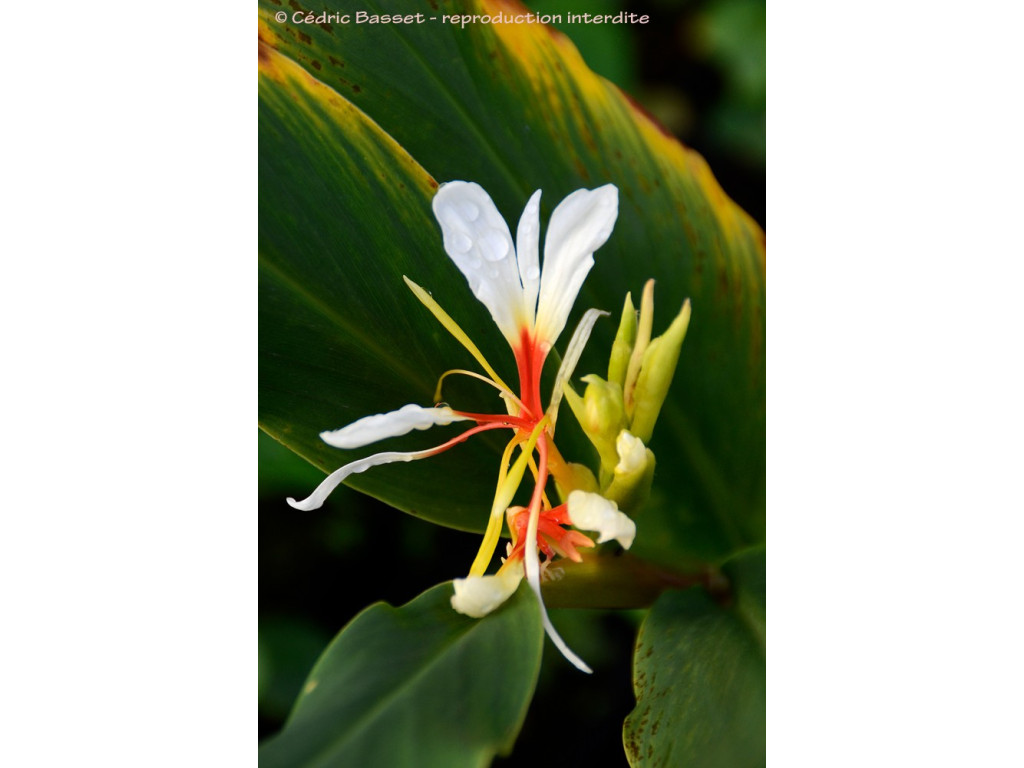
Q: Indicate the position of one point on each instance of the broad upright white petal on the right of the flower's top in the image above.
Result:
(579, 227)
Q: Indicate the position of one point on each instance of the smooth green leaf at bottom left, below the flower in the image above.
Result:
(419, 686)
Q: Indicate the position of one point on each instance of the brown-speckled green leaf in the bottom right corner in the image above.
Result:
(699, 676)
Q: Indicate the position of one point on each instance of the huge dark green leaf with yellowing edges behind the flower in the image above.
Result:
(345, 110)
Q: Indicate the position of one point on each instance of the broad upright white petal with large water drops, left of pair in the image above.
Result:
(479, 241)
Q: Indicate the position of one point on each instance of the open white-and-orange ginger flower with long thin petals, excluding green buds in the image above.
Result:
(531, 308)
